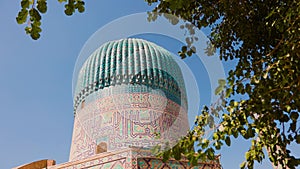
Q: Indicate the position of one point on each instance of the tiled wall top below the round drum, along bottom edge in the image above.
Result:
(133, 158)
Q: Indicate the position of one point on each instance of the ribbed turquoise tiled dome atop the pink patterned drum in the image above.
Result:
(129, 61)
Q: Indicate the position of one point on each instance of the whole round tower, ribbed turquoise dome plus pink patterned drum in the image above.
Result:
(128, 91)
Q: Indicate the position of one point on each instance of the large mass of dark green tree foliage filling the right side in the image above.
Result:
(263, 37)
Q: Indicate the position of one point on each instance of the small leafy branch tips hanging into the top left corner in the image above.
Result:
(31, 11)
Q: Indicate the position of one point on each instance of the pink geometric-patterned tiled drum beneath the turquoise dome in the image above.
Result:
(128, 119)
